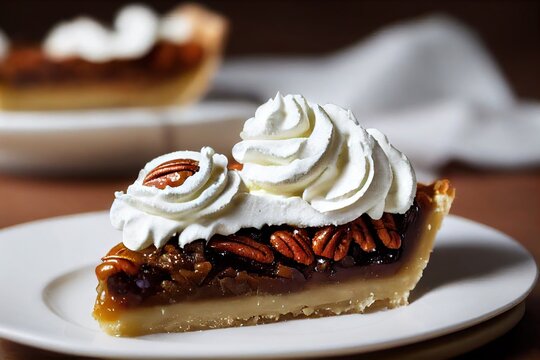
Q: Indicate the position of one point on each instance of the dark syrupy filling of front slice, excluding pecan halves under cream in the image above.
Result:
(198, 271)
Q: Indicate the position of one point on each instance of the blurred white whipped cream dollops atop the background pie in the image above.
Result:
(135, 31)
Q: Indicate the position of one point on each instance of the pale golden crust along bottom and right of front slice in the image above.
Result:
(351, 296)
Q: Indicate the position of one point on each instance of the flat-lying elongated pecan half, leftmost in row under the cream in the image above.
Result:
(242, 246)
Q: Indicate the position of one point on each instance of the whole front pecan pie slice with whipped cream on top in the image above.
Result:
(319, 217)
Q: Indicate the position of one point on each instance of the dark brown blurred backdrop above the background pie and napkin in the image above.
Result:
(509, 29)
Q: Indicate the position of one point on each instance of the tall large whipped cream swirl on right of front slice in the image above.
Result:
(321, 154)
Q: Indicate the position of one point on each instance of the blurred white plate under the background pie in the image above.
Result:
(90, 141)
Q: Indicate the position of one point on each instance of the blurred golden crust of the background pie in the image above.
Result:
(181, 88)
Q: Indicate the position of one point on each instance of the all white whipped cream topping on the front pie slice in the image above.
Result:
(303, 164)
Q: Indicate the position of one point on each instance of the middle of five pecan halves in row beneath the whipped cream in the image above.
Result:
(332, 242)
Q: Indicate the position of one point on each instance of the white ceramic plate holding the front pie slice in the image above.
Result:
(47, 279)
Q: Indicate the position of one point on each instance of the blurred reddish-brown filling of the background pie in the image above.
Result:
(27, 66)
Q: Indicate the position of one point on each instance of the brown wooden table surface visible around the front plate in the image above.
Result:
(508, 201)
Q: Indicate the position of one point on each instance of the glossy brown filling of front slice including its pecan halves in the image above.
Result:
(272, 260)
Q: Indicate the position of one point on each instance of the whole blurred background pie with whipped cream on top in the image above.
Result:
(143, 60)
